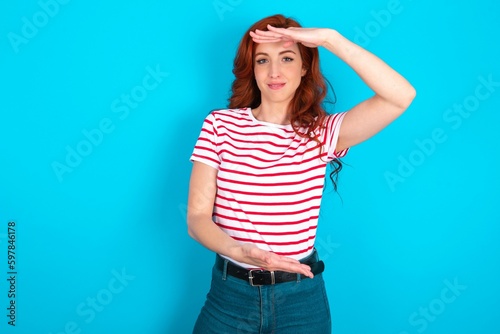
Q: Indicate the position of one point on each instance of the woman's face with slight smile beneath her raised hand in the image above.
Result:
(278, 71)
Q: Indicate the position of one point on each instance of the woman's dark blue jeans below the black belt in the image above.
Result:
(233, 306)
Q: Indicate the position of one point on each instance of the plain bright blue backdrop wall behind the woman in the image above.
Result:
(102, 245)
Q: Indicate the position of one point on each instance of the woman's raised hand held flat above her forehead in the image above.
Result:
(310, 37)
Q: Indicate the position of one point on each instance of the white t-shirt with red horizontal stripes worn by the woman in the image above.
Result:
(269, 181)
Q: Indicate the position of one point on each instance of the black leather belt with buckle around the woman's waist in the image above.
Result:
(257, 277)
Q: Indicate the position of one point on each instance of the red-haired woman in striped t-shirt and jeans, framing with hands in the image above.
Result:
(259, 171)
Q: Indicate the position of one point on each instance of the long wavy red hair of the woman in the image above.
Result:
(305, 107)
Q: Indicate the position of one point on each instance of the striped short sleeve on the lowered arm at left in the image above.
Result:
(205, 149)
